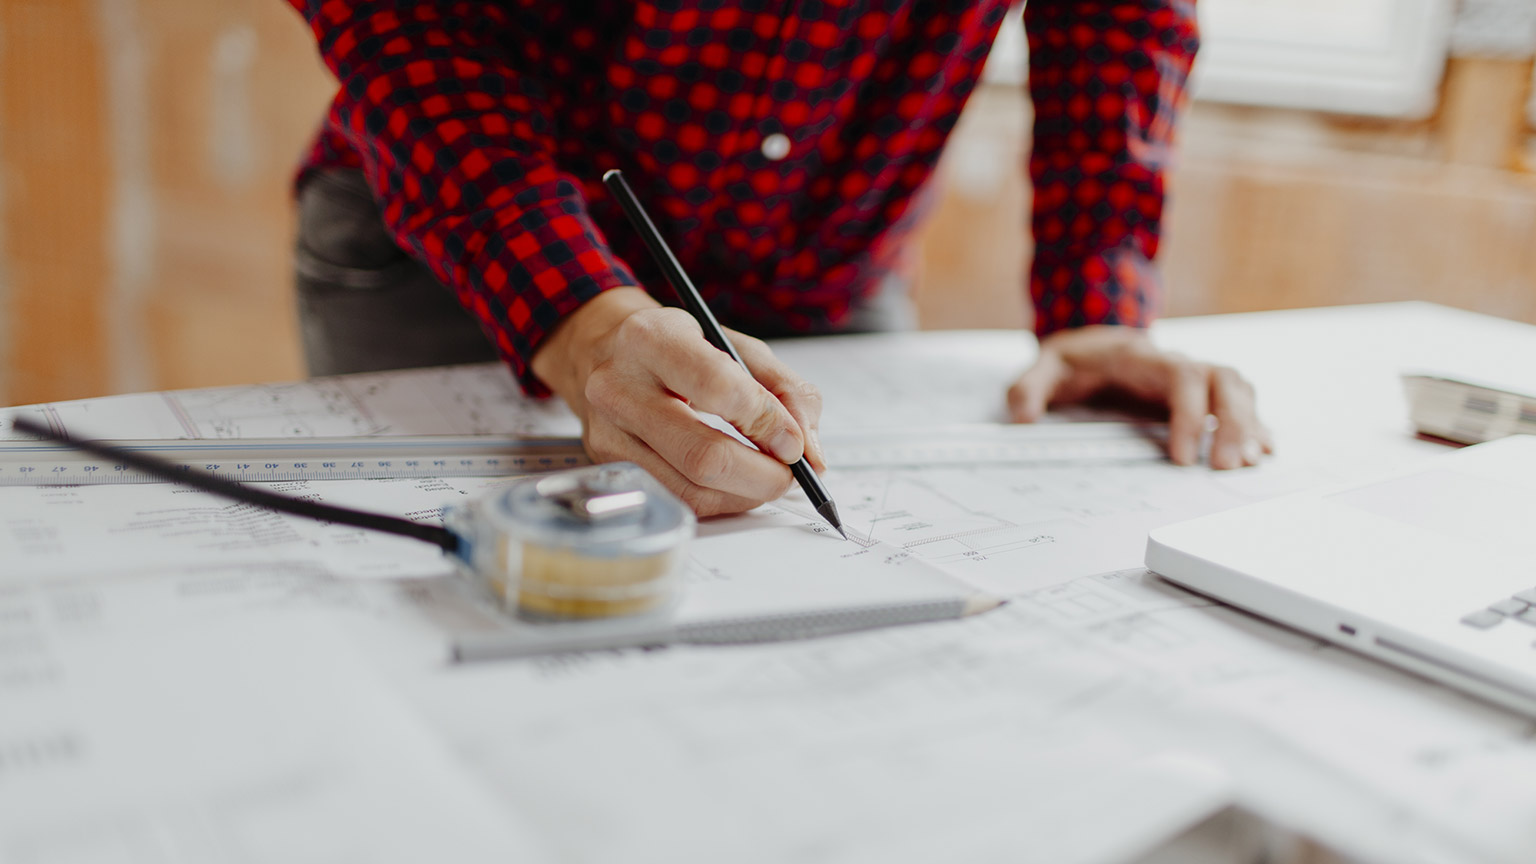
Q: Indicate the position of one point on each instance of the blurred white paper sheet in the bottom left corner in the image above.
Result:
(250, 739)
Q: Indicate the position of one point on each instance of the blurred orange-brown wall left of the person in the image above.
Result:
(147, 150)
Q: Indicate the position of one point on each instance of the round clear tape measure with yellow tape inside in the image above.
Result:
(600, 542)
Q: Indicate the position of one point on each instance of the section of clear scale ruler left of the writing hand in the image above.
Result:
(42, 464)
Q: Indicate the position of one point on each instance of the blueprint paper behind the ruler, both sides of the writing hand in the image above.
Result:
(867, 384)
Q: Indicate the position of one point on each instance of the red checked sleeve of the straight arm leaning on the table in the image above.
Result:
(1107, 79)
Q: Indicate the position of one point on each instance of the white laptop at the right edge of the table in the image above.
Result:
(1432, 568)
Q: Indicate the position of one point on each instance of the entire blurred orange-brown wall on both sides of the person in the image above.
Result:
(147, 150)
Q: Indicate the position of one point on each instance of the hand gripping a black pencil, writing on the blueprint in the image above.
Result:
(635, 373)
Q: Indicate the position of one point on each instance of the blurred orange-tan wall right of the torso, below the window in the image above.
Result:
(1273, 210)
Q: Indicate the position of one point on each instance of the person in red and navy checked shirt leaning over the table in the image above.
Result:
(452, 207)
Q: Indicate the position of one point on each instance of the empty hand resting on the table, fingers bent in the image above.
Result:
(1082, 364)
